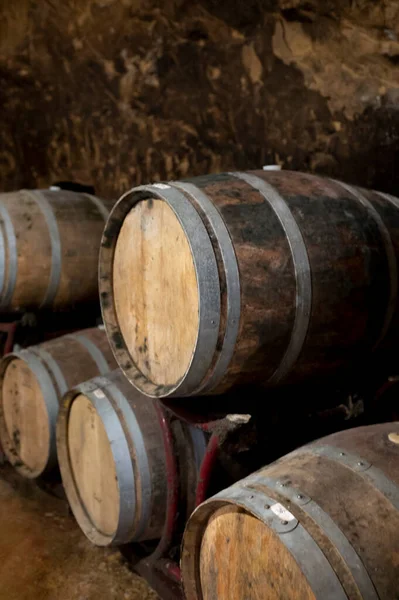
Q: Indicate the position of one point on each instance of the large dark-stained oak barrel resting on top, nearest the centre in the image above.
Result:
(261, 277)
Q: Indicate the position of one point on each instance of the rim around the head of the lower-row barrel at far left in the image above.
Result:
(51, 404)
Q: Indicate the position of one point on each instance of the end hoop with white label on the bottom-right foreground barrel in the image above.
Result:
(313, 563)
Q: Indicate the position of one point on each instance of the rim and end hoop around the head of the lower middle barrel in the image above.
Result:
(125, 476)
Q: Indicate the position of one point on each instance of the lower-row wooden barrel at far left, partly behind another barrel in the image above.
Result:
(32, 383)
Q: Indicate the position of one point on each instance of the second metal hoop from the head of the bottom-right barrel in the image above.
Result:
(328, 527)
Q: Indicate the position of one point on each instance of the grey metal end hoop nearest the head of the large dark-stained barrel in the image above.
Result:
(207, 282)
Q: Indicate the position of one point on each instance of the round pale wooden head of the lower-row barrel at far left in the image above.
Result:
(25, 417)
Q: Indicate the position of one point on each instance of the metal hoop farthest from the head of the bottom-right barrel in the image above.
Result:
(374, 475)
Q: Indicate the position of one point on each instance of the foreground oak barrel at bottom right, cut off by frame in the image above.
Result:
(320, 523)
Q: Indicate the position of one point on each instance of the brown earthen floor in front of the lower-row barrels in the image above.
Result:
(44, 556)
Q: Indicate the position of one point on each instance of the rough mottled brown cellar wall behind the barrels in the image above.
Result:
(119, 92)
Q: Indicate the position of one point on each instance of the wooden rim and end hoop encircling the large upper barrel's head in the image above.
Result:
(208, 285)
